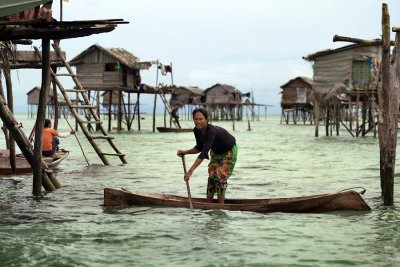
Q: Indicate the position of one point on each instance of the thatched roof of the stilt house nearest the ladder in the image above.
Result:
(120, 54)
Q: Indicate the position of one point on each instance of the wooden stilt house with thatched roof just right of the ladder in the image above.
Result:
(110, 69)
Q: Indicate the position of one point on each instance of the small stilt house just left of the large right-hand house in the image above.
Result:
(296, 100)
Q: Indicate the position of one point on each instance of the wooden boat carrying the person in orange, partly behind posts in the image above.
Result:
(22, 165)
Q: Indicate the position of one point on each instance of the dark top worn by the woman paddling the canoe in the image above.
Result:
(216, 138)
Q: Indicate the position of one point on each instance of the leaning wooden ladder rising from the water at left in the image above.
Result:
(87, 106)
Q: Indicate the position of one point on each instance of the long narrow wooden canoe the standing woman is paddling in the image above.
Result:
(345, 200)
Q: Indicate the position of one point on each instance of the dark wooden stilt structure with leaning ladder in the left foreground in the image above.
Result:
(21, 22)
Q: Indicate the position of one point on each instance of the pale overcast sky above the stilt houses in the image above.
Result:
(254, 45)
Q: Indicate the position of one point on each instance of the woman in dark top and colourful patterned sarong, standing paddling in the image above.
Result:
(223, 151)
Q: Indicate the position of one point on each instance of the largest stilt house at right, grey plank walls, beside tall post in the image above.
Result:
(345, 84)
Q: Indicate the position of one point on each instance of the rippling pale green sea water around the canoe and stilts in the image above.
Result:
(70, 227)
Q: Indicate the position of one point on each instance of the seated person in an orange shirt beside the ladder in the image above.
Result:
(50, 141)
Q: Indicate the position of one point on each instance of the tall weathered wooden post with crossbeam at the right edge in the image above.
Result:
(388, 103)
